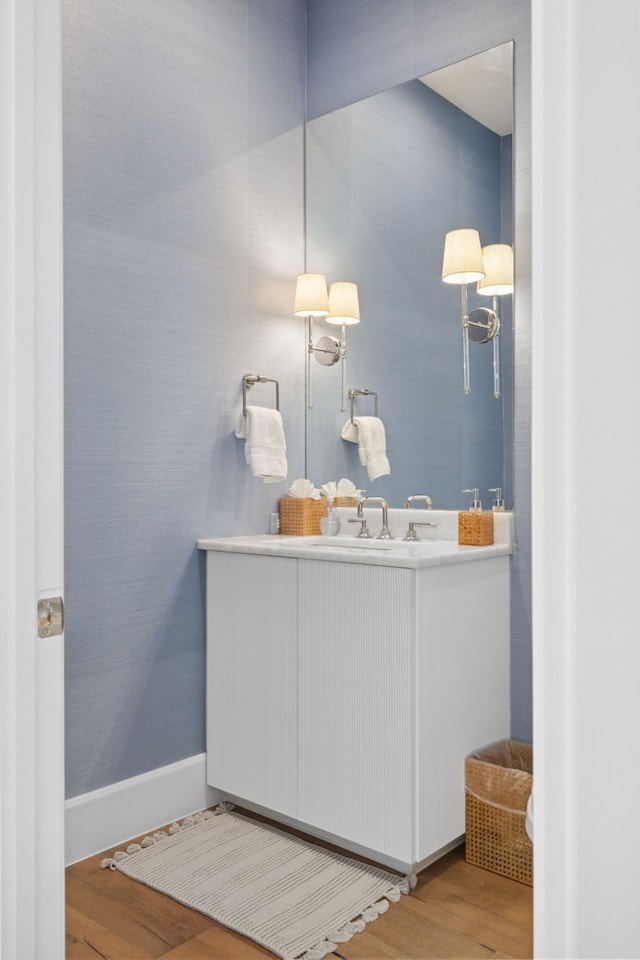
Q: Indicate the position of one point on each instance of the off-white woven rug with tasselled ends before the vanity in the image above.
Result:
(292, 897)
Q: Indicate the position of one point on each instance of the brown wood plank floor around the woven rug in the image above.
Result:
(457, 911)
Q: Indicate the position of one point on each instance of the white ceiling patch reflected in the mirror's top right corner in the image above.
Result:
(482, 86)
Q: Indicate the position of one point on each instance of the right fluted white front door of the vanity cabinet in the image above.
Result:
(356, 674)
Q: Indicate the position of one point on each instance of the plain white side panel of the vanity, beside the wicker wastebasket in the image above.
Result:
(463, 676)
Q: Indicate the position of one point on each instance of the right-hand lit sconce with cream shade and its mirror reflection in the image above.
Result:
(465, 261)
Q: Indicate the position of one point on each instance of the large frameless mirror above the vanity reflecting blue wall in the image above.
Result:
(386, 179)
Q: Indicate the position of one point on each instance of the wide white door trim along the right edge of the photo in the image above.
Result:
(586, 397)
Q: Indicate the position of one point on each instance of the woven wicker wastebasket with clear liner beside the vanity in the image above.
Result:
(498, 781)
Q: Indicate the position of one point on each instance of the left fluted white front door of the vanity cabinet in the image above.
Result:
(252, 678)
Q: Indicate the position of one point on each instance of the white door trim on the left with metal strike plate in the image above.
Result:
(31, 511)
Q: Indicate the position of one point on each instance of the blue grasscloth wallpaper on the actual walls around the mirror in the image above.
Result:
(184, 225)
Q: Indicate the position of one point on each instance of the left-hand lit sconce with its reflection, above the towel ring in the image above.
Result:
(338, 306)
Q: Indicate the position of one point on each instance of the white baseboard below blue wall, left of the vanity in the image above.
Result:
(107, 817)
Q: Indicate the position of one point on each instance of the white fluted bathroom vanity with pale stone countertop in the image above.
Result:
(347, 680)
